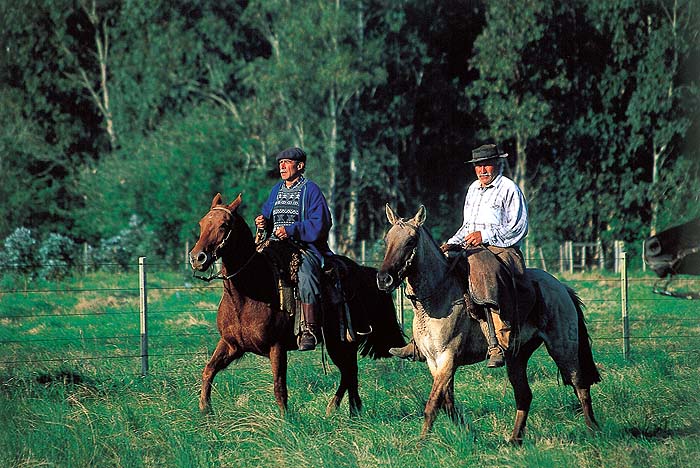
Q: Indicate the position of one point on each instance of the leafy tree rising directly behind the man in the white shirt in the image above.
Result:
(521, 73)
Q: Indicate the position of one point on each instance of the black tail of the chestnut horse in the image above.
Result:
(381, 314)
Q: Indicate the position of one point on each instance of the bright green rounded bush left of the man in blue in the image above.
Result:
(169, 179)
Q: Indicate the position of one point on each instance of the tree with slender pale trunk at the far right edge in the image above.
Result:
(664, 102)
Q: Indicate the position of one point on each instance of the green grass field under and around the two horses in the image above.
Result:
(71, 393)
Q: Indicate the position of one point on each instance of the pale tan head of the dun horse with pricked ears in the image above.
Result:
(401, 244)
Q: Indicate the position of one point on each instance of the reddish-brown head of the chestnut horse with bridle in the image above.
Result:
(217, 229)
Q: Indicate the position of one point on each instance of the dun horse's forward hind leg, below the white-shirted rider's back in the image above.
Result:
(517, 375)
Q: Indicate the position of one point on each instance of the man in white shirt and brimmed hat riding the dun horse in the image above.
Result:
(495, 222)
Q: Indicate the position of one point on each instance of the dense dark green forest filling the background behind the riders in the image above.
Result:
(133, 114)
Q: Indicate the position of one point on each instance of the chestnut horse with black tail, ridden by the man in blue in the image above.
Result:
(250, 318)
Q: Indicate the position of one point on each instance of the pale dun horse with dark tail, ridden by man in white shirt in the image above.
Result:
(447, 335)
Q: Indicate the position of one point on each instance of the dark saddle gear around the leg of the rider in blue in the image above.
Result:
(337, 288)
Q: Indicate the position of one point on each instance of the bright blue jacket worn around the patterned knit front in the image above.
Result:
(314, 218)
